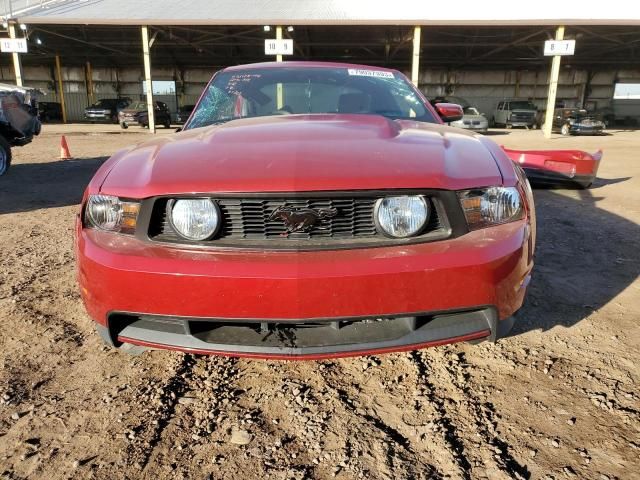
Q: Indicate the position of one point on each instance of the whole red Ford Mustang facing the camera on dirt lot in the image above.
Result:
(307, 210)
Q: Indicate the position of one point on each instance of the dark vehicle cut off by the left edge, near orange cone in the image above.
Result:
(18, 120)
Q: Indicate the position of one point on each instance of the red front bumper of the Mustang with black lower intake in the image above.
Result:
(304, 304)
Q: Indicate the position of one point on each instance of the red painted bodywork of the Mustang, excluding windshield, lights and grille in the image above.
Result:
(324, 300)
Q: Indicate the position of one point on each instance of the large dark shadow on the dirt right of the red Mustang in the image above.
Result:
(585, 257)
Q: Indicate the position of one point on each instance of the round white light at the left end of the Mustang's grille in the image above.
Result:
(194, 219)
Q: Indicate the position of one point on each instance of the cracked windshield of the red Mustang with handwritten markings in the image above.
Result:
(259, 92)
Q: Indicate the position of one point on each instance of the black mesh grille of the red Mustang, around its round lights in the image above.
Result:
(246, 223)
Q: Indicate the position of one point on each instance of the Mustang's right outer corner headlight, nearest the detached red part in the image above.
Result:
(491, 206)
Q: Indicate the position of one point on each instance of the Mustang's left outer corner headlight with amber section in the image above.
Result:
(106, 212)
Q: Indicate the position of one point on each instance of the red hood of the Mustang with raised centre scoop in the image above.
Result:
(304, 153)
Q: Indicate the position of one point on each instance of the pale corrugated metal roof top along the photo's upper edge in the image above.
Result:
(322, 12)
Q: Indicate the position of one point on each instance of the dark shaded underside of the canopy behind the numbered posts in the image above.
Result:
(479, 47)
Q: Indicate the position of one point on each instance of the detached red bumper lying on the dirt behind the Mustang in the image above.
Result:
(557, 167)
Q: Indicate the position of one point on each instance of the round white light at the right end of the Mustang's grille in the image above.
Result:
(401, 217)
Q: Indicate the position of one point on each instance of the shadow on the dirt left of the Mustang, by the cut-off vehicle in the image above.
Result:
(32, 186)
